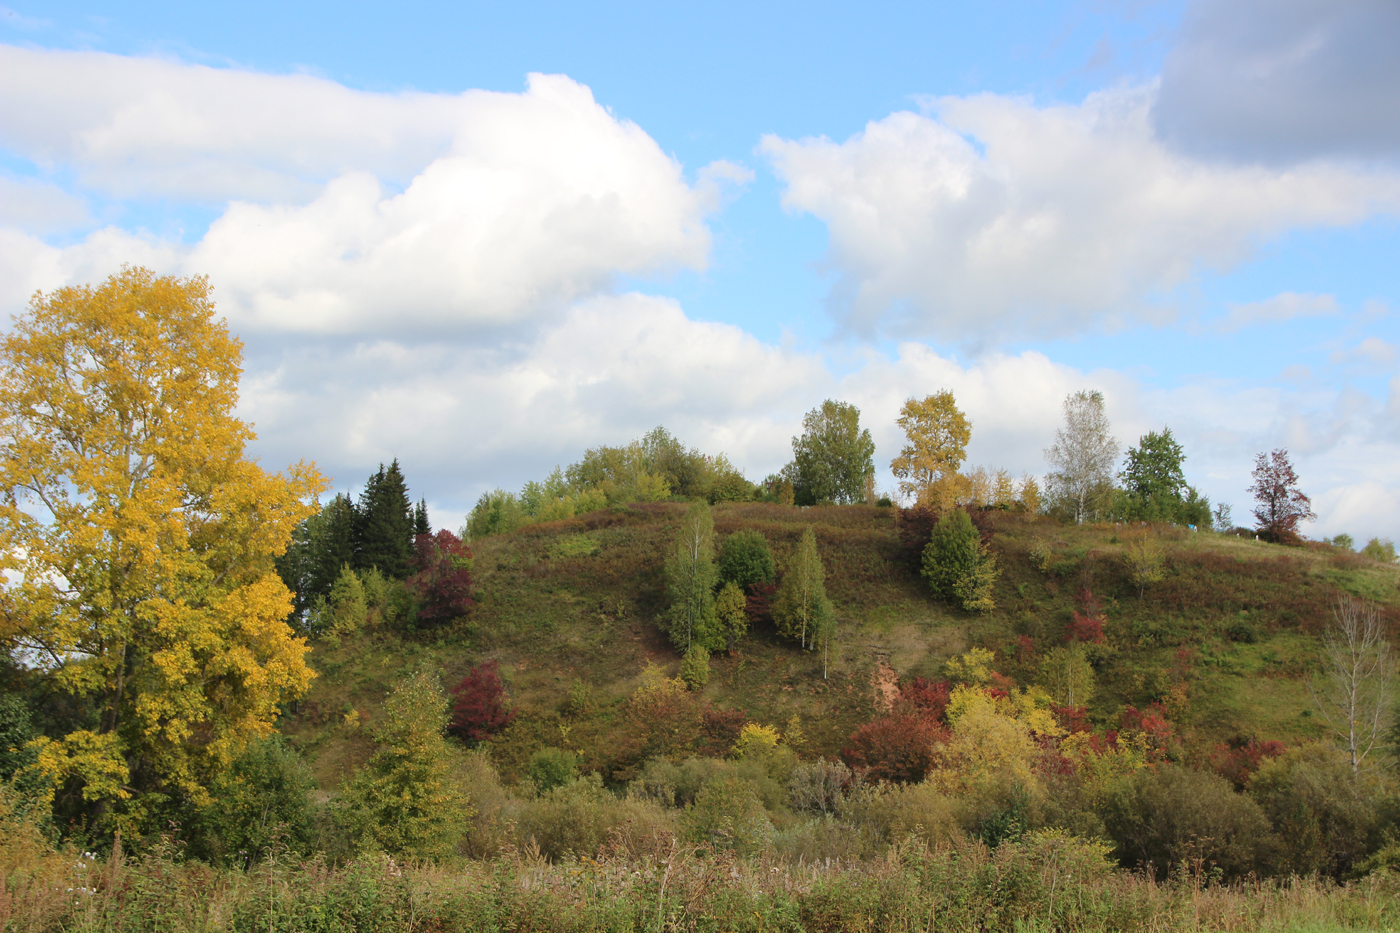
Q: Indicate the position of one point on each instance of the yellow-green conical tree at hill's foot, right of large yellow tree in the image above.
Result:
(407, 799)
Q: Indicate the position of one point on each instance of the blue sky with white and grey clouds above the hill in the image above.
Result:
(482, 239)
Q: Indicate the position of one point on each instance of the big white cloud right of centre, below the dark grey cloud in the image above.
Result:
(997, 221)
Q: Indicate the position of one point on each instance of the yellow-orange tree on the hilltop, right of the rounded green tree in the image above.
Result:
(939, 435)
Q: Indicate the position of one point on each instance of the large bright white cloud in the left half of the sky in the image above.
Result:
(362, 214)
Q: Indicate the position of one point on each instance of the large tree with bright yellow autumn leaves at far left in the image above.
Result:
(138, 541)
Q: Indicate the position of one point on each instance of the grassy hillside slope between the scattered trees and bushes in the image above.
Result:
(569, 609)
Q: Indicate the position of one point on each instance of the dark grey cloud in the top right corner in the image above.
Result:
(1284, 81)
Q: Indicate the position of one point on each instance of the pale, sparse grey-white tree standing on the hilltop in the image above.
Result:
(1083, 456)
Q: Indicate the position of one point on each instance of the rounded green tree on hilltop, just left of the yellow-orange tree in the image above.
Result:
(832, 457)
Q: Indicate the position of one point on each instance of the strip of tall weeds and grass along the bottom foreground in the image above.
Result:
(1046, 882)
